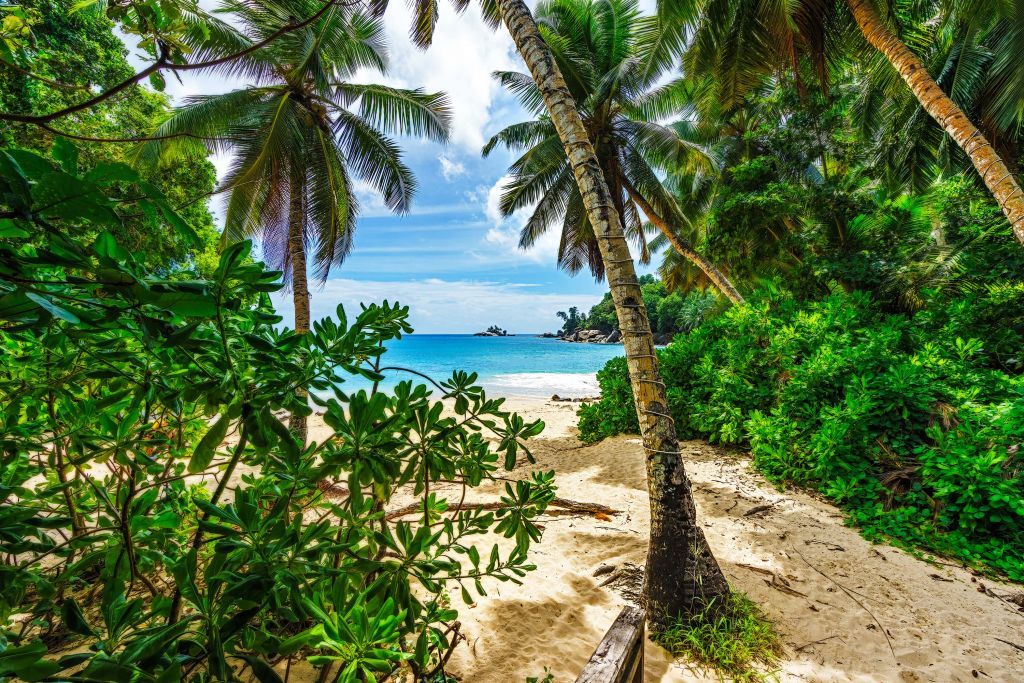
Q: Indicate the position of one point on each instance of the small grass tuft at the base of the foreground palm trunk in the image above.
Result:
(737, 641)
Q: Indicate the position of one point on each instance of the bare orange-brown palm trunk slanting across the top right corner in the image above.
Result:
(994, 172)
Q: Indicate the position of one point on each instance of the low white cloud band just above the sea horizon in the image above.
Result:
(447, 307)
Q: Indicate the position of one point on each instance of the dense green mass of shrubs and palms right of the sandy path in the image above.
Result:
(878, 360)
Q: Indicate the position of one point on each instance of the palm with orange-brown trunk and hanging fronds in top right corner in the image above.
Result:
(742, 41)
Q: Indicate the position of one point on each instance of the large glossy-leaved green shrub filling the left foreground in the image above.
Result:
(160, 521)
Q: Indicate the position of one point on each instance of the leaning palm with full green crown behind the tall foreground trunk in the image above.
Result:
(598, 44)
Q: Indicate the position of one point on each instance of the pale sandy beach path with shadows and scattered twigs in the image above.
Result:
(847, 611)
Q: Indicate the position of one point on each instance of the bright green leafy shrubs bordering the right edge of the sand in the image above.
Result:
(913, 423)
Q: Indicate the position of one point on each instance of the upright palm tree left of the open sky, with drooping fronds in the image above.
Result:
(301, 132)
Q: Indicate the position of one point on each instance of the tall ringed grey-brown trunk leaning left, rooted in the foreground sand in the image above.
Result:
(682, 575)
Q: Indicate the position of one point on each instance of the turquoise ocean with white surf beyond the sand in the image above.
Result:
(520, 366)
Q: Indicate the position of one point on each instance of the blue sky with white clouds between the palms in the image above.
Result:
(454, 261)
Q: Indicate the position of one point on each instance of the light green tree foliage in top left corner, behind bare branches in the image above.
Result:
(71, 53)
